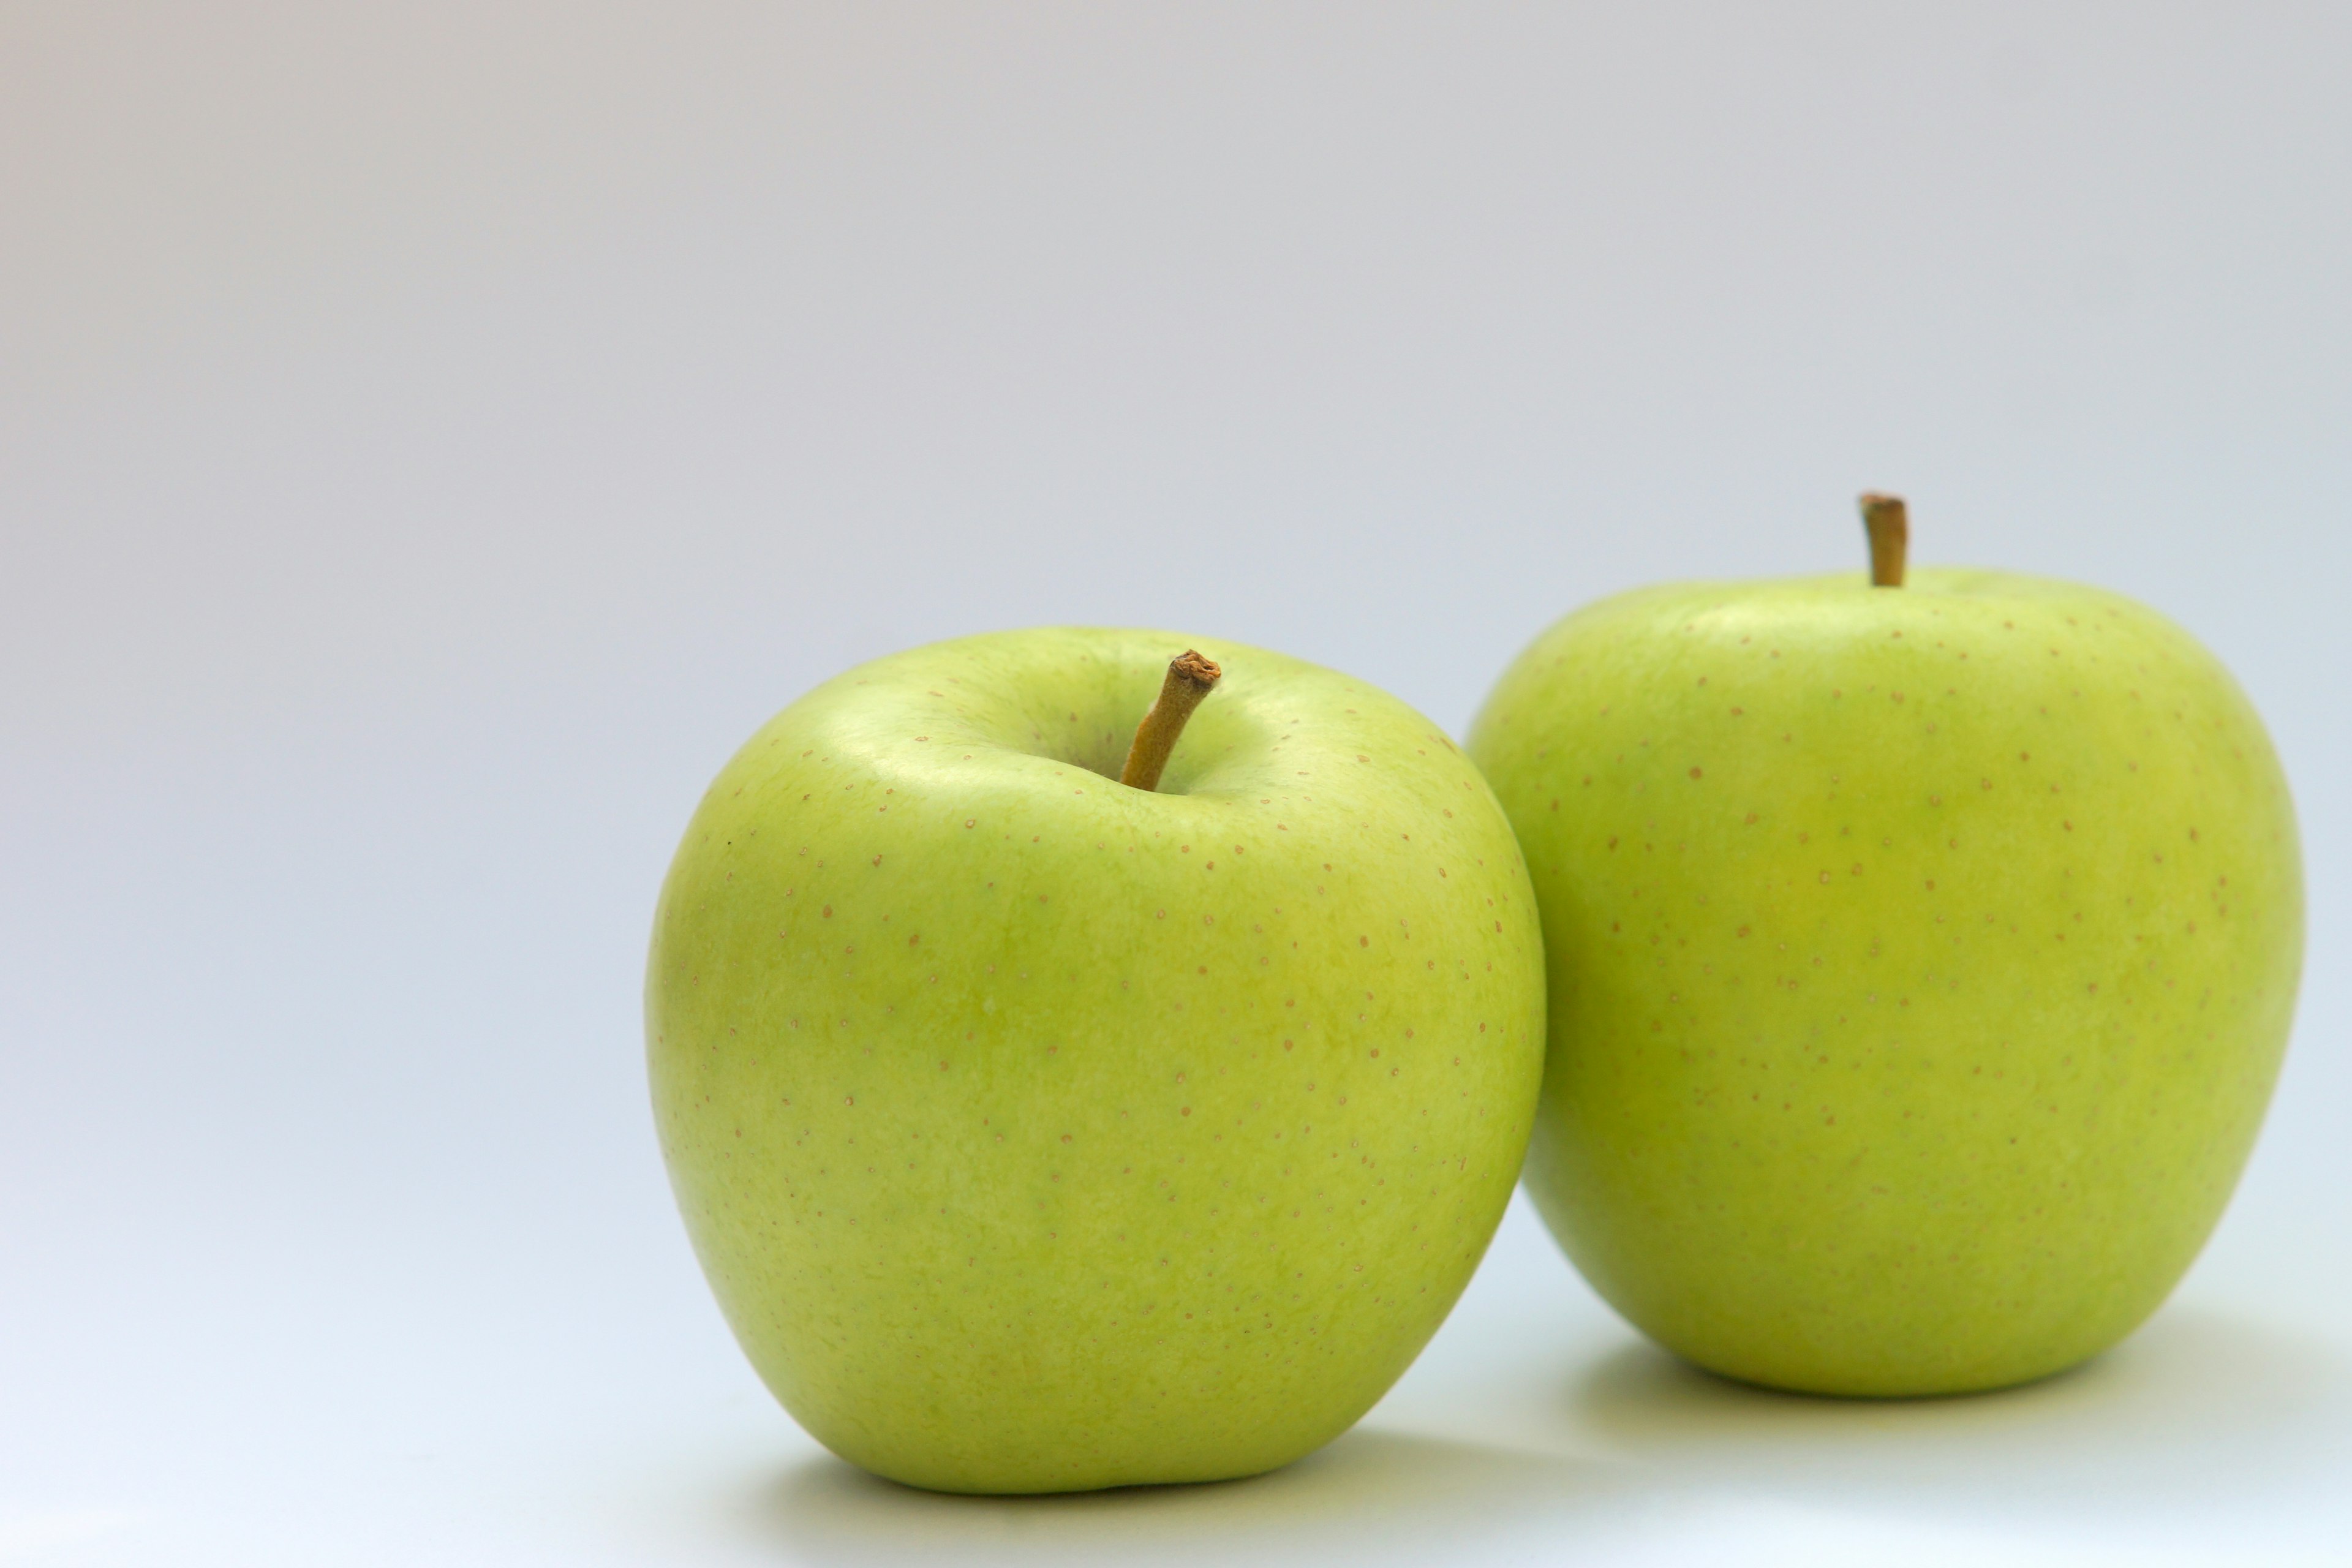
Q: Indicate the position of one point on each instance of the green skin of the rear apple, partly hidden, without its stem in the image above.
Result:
(1920, 965)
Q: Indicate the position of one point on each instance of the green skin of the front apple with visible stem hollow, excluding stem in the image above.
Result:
(1045, 1134)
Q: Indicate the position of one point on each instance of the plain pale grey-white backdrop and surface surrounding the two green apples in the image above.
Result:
(436, 434)
